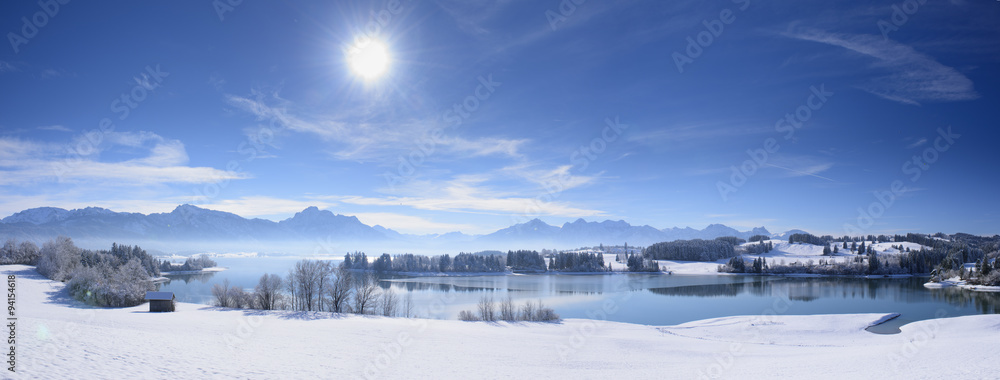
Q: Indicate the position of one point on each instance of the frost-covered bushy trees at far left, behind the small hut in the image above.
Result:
(118, 277)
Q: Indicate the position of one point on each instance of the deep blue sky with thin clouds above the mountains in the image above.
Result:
(493, 113)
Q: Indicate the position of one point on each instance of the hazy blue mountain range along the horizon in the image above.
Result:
(193, 224)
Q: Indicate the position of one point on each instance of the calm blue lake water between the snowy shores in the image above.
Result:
(641, 298)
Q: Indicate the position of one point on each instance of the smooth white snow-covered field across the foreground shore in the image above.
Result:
(58, 338)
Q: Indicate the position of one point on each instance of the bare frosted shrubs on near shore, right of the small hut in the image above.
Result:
(314, 285)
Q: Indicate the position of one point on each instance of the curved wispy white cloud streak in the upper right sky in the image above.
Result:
(913, 77)
